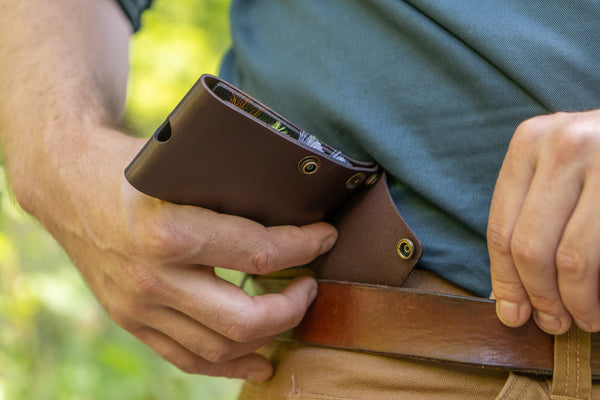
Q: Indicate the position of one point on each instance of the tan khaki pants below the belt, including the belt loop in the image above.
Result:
(308, 373)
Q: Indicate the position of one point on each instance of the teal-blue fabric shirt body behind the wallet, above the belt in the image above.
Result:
(432, 90)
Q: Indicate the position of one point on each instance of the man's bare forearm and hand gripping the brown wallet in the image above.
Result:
(150, 263)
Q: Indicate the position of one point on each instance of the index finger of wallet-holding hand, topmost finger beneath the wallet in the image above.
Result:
(232, 242)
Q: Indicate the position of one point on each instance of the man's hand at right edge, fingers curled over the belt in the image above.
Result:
(544, 226)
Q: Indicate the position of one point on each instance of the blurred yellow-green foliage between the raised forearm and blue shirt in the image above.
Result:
(179, 41)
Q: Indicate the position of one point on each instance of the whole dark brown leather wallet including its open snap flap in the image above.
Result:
(223, 150)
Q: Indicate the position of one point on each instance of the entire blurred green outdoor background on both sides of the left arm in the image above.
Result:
(56, 342)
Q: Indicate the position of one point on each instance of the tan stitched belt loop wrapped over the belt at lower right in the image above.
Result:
(572, 378)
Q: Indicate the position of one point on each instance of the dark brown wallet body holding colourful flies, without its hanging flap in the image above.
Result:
(223, 150)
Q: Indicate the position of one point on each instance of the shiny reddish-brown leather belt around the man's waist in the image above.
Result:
(425, 325)
